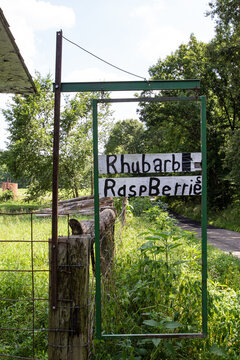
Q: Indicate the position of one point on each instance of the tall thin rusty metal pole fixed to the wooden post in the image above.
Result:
(55, 175)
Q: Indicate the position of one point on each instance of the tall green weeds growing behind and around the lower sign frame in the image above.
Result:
(157, 288)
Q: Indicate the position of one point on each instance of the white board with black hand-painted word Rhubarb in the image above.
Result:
(149, 163)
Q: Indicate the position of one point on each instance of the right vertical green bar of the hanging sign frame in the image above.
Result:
(204, 215)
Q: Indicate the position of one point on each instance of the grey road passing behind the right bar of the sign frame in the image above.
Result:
(226, 240)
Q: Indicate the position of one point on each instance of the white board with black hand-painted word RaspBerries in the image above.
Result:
(150, 186)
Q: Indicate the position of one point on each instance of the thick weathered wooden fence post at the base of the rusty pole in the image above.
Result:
(68, 323)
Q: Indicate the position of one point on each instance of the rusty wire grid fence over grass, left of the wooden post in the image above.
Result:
(24, 284)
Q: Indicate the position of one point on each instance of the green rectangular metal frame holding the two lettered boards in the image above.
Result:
(99, 335)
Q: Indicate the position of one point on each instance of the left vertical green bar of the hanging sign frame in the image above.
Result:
(96, 212)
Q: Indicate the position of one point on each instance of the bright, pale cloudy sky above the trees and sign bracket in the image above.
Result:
(131, 34)
